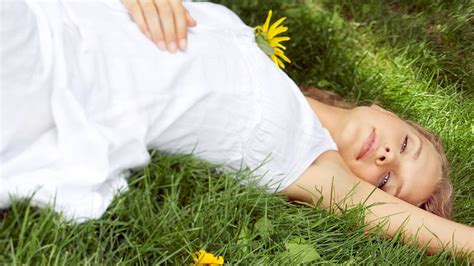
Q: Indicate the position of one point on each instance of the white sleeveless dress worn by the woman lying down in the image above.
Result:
(85, 95)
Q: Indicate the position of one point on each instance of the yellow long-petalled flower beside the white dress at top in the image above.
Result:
(267, 40)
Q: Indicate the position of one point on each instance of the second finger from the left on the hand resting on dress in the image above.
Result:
(153, 22)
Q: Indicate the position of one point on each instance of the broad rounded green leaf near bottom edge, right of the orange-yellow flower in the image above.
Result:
(300, 251)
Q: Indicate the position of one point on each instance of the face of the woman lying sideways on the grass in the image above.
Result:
(387, 152)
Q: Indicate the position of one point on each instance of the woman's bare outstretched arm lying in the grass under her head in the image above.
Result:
(333, 179)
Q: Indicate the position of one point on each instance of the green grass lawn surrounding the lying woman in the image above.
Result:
(414, 57)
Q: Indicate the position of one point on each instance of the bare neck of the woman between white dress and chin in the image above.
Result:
(331, 117)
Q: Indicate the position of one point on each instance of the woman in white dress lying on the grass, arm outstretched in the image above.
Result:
(85, 95)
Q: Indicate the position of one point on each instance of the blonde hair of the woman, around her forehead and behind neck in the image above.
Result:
(441, 201)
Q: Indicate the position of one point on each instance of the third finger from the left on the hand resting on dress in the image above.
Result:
(167, 23)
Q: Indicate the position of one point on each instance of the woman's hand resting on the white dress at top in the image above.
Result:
(165, 22)
